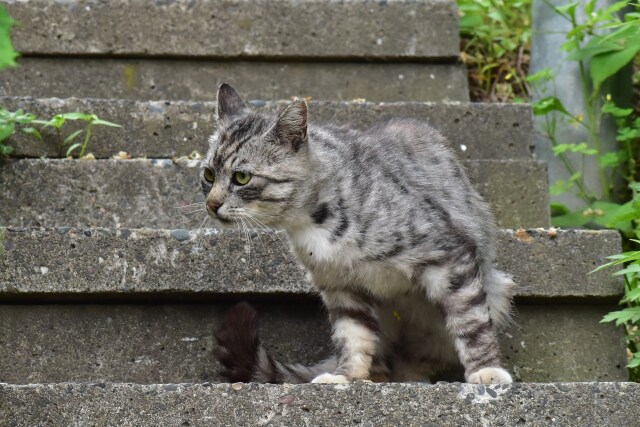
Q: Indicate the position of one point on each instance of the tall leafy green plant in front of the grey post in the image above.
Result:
(601, 45)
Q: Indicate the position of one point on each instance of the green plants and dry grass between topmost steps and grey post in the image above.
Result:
(495, 46)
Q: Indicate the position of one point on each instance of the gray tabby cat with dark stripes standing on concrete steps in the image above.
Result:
(395, 239)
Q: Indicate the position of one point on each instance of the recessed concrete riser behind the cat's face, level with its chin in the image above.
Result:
(148, 193)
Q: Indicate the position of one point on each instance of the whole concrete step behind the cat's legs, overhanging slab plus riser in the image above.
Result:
(43, 270)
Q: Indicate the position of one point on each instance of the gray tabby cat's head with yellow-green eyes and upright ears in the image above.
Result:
(256, 163)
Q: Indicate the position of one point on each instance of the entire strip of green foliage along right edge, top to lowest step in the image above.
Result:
(602, 44)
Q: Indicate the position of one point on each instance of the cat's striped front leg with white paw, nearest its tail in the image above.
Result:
(355, 334)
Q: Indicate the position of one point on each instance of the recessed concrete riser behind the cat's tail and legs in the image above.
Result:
(151, 343)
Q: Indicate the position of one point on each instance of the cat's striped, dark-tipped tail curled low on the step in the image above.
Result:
(246, 360)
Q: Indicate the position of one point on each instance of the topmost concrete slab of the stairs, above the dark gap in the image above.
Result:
(414, 30)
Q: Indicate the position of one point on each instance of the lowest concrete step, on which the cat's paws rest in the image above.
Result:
(566, 404)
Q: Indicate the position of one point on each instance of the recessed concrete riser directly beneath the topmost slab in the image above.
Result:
(198, 80)
